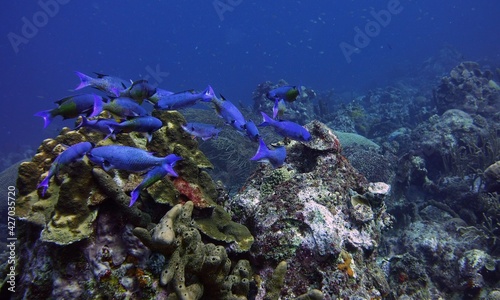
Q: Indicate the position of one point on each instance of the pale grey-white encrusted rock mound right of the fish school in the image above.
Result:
(302, 213)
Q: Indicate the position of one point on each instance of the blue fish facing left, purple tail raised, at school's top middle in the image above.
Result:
(184, 99)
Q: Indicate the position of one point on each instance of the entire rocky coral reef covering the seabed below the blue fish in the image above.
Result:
(403, 203)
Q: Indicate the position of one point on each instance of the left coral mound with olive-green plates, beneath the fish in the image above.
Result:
(77, 241)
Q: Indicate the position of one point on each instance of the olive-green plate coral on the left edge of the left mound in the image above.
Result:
(65, 215)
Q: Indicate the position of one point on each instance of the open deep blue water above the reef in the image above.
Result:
(188, 44)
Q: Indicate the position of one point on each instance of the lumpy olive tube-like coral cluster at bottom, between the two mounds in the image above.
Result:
(176, 236)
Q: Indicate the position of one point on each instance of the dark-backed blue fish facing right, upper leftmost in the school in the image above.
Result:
(72, 107)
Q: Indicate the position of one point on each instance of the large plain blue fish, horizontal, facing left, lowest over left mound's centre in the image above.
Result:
(125, 158)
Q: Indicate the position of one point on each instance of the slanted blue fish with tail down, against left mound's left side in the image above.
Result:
(73, 153)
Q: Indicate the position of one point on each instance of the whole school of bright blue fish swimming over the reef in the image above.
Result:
(123, 100)
